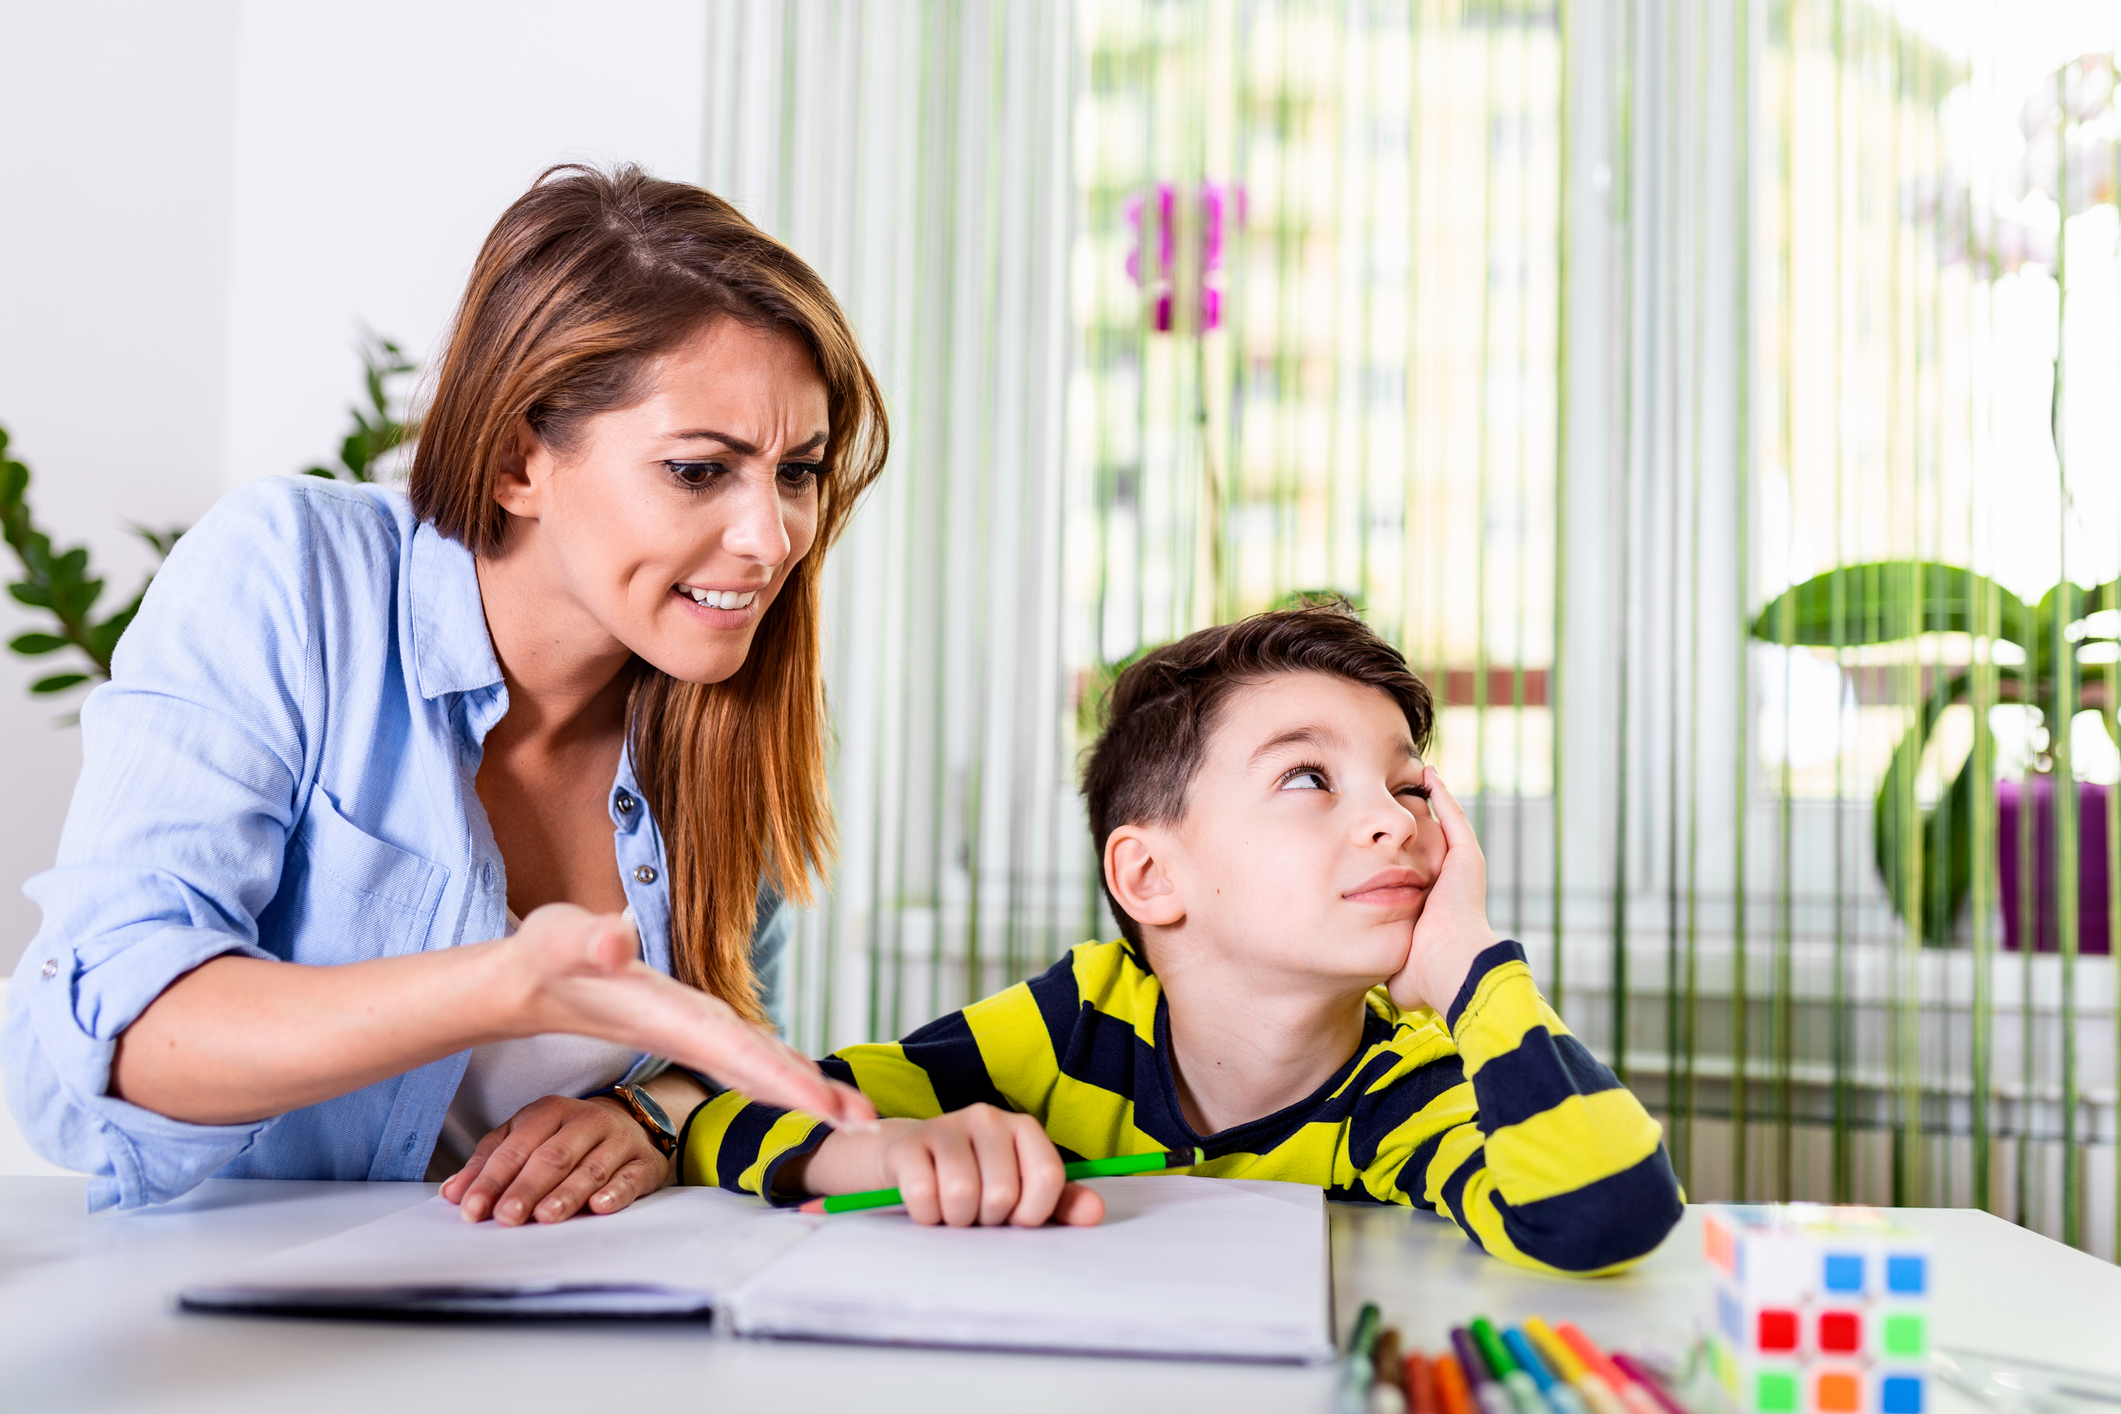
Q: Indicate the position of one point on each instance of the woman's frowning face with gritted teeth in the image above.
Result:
(673, 525)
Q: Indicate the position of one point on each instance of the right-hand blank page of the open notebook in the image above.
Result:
(1180, 1267)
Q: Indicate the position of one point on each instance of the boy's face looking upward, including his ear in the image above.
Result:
(1308, 845)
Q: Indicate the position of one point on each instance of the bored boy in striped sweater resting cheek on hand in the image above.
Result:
(1308, 991)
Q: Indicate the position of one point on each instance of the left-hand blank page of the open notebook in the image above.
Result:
(667, 1254)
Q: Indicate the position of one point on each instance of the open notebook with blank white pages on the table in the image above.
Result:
(1210, 1269)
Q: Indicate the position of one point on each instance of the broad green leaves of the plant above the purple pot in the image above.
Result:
(1897, 601)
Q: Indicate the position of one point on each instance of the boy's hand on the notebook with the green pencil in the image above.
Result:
(977, 1165)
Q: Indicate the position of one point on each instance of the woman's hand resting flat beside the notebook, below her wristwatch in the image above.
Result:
(555, 1159)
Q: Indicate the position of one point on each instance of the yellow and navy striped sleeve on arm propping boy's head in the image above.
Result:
(1522, 1137)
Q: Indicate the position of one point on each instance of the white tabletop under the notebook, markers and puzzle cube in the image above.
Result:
(86, 1322)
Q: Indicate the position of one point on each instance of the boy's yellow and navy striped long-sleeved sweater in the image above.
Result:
(1492, 1116)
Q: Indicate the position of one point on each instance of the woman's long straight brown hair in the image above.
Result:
(582, 285)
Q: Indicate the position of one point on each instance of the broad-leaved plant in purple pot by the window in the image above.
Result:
(1897, 601)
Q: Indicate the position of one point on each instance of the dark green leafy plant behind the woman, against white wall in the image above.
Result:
(63, 584)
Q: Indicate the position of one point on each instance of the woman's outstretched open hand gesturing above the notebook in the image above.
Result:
(582, 974)
